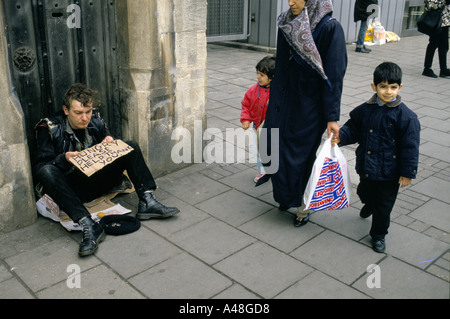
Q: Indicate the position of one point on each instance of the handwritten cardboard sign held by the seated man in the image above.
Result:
(98, 156)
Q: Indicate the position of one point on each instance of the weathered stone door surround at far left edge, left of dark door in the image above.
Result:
(17, 208)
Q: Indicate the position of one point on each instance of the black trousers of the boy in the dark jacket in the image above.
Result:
(380, 196)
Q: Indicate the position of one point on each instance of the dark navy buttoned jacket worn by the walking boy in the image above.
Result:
(388, 138)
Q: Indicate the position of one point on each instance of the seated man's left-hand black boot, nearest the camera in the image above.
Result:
(93, 234)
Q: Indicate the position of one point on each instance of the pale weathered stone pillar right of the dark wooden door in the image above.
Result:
(162, 73)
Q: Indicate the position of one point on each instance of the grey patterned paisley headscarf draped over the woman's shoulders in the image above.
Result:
(298, 31)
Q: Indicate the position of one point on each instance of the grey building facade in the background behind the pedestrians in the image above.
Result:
(254, 21)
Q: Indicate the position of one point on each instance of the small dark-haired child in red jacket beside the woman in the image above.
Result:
(254, 104)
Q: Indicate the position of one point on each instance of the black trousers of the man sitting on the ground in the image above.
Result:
(72, 190)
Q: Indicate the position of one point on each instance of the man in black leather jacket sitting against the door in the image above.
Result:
(77, 127)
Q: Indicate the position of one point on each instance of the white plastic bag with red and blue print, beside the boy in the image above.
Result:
(329, 185)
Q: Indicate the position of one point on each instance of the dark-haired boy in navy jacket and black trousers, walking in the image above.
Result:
(388, 134)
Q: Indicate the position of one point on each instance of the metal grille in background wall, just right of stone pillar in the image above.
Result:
(227, 20)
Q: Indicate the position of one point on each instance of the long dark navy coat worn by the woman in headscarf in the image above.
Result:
(300, 105)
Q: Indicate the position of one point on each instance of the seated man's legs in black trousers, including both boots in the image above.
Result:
(72, 190)
